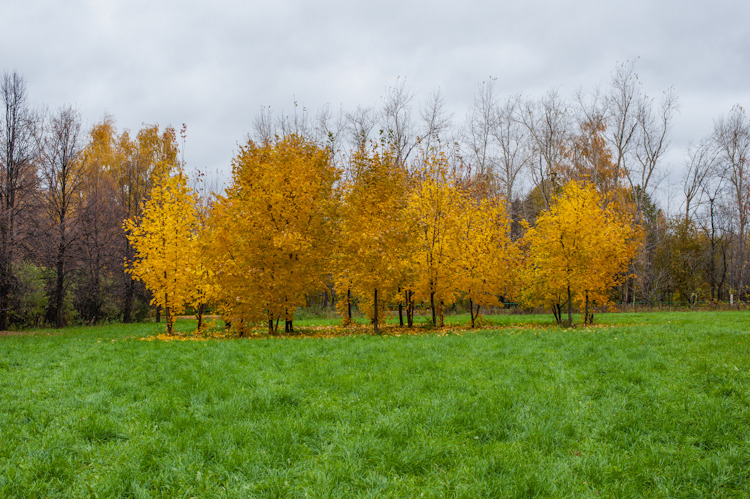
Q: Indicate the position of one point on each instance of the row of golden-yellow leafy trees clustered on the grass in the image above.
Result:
(386, 235)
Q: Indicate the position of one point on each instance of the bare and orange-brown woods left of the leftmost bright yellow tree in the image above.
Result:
(64, 194)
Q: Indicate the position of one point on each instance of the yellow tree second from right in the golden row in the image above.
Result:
(486, 258)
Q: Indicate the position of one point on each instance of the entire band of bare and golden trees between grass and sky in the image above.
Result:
(65, 193)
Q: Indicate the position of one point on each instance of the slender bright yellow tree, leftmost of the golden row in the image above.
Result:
(164, 240)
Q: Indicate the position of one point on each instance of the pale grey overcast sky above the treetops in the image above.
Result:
(213, 65)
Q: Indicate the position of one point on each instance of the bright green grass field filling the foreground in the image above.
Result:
(643, 405)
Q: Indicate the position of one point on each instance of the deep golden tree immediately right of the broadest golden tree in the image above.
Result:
(372, 255)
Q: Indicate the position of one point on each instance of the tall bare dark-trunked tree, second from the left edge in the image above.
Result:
(62, 178)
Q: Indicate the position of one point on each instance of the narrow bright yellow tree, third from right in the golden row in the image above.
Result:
(435, 206)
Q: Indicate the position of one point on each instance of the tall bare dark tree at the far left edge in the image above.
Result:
(17, 178)
